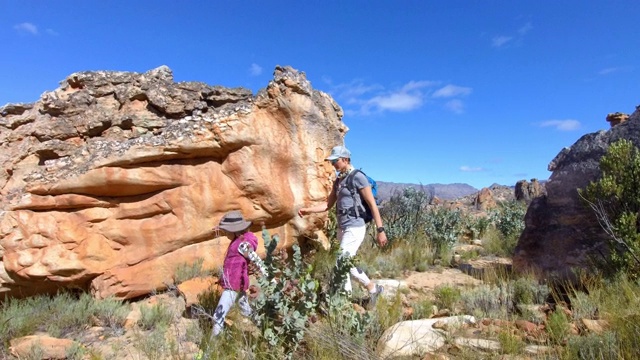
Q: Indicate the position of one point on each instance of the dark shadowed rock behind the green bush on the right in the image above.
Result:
(561, 233)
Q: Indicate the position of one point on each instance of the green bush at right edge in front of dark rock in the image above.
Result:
(616, 199)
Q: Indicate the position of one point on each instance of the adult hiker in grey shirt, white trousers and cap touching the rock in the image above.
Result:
(351, 226)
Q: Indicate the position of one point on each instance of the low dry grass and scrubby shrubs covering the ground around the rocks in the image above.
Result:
(301, 311)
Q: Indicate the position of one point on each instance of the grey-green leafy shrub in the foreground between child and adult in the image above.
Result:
(288, 297)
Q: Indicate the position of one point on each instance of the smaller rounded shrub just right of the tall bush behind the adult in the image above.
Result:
(444, 227)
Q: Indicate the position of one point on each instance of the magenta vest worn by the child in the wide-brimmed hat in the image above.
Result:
(235, 269)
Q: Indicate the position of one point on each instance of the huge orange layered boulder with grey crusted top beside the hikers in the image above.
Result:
(115, 179)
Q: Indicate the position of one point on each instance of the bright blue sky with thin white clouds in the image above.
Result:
(475, 92)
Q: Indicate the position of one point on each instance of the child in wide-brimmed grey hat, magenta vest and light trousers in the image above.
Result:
(235, 271)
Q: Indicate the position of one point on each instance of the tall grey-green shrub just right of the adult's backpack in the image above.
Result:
(405, 213)
